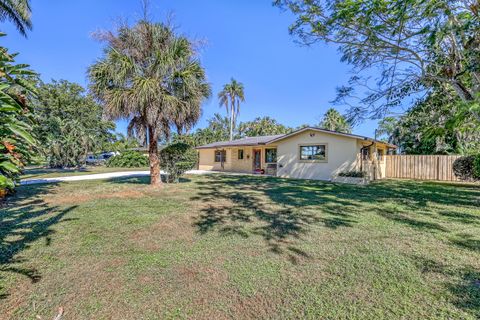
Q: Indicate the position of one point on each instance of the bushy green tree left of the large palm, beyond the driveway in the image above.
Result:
(69, 124)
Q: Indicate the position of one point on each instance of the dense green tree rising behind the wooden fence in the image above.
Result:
(438, 124)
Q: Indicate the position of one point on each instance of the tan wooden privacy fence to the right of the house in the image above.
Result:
(432, 167)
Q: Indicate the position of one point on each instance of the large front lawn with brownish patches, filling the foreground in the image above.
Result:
(215, 247)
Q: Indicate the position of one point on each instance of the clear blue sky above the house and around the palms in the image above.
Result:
(245, 39)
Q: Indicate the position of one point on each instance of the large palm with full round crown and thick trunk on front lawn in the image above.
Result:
(152, 77)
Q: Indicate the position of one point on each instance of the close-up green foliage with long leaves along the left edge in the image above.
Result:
(16, 140)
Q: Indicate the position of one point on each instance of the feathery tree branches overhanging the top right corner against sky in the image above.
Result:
(414, 44)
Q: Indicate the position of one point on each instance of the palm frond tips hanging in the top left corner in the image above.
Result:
(18, 12)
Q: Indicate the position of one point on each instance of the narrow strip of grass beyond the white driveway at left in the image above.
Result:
(39, 172)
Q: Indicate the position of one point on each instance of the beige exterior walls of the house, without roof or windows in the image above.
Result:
(343, 154)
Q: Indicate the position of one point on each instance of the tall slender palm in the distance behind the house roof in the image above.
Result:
(230, 97)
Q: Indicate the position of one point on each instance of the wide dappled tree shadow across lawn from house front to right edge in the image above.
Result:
(287, 208)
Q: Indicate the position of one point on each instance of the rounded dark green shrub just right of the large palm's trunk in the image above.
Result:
(177, 158)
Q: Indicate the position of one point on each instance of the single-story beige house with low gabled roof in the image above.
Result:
(308, 153)
